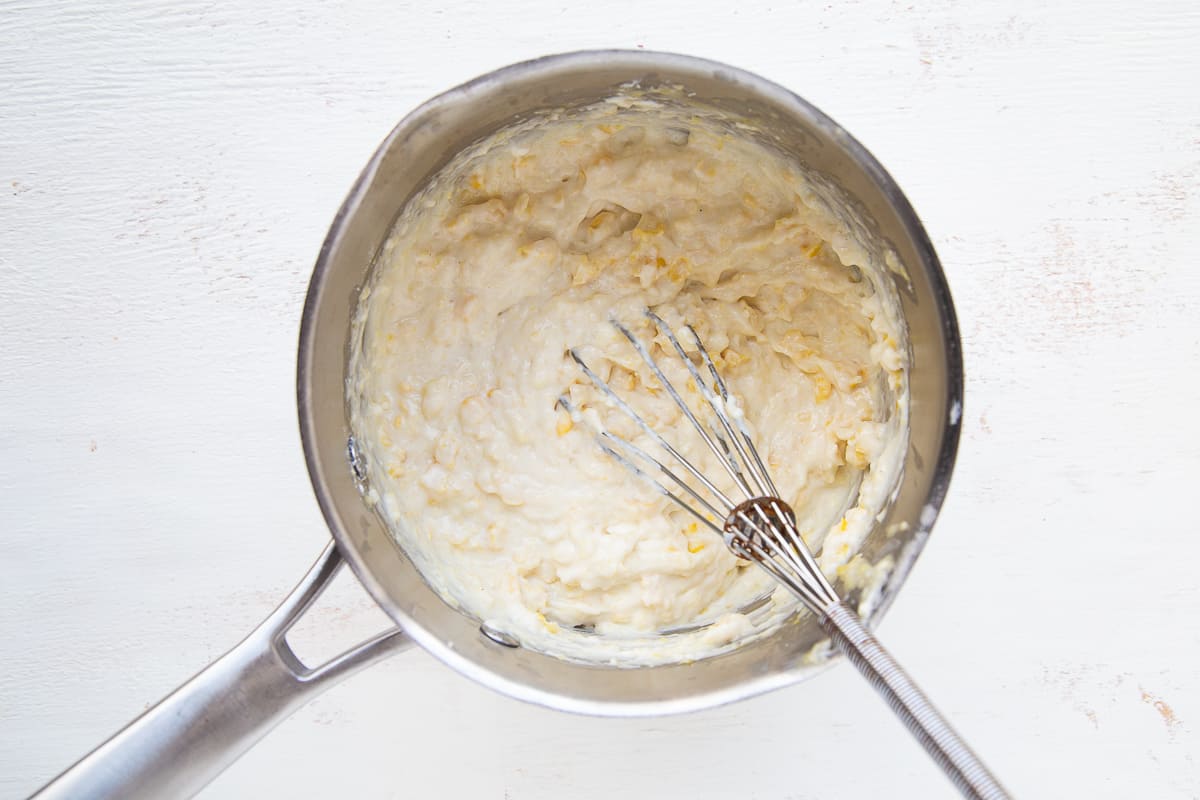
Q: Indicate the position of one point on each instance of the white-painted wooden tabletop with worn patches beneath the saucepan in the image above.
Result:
(167, 173)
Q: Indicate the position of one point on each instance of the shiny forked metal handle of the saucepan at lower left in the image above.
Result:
(188, 739)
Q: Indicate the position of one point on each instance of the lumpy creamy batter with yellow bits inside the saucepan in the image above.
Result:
(525, 246)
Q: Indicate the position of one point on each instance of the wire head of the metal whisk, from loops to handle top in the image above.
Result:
(759, 527)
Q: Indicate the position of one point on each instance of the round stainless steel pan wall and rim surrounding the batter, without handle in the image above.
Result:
(421, 146)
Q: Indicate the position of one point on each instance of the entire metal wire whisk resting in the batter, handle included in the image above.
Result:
(763, 530)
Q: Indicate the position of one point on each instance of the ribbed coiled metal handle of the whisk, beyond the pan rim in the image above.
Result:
(935, 735)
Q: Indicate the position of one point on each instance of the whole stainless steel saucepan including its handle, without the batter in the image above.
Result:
(182, 744)
